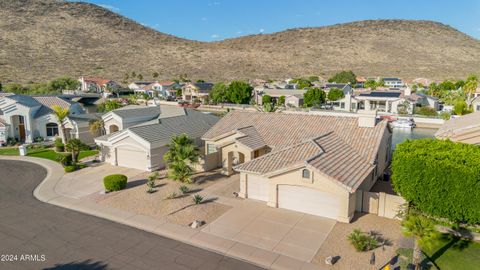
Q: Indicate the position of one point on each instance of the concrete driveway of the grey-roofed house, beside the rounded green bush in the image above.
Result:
(89, 180)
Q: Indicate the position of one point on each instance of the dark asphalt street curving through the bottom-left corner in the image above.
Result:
(57, 238)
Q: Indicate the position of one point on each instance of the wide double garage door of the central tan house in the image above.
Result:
(308, 201)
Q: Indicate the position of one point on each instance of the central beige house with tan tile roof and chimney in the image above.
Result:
(309, 163)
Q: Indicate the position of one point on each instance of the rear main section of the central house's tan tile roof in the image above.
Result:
(279, 130)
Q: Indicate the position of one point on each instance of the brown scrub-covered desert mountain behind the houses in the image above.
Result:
(43, 39)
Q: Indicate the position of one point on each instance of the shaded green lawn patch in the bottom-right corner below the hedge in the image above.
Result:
(451, 252)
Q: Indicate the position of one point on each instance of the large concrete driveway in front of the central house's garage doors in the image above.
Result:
(283, 231)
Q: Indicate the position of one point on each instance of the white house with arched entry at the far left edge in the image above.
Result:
(29, 117)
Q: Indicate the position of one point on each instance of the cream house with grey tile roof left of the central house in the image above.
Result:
(142, 146)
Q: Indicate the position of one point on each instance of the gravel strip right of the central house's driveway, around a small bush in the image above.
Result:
(338, 245)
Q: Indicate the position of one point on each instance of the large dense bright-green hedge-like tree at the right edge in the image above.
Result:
(434, 175)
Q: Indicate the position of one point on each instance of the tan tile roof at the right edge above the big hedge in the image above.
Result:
(459, 125)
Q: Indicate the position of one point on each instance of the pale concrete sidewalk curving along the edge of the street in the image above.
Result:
(45, 192)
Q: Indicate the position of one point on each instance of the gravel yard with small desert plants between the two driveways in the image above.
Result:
(179, 210)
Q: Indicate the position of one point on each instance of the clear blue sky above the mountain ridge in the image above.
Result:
(210, 20)
